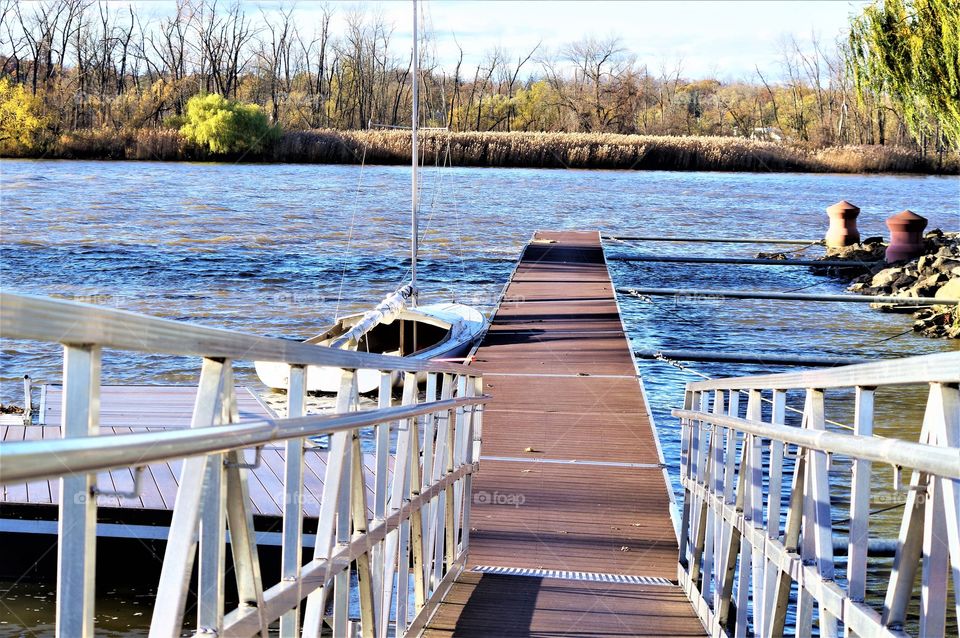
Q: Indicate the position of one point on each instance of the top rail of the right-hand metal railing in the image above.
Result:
(932, 368)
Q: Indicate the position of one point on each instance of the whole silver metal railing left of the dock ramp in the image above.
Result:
(416, 529)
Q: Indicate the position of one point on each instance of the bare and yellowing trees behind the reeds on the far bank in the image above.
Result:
(102, 65)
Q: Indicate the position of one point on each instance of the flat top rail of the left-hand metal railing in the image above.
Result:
(69, 322)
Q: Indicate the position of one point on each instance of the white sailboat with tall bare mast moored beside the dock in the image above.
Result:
(398, 325)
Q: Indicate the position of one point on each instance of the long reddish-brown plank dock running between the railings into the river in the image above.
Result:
(571, 526)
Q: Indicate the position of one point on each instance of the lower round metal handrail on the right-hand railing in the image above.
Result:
(943, 462)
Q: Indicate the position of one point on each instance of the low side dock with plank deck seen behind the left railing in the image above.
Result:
(151, 408)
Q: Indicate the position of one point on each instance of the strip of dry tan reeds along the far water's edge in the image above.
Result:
(532, 150)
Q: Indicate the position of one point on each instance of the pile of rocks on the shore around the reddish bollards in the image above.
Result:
(935, 273)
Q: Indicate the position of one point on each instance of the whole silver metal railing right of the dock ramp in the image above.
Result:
(755, 559)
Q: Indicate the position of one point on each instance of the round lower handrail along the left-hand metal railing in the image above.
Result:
(41, 459)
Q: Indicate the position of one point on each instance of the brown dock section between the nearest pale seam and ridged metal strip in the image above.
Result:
(570, 517)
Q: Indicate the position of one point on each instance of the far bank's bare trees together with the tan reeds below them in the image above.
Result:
(99, 79)
